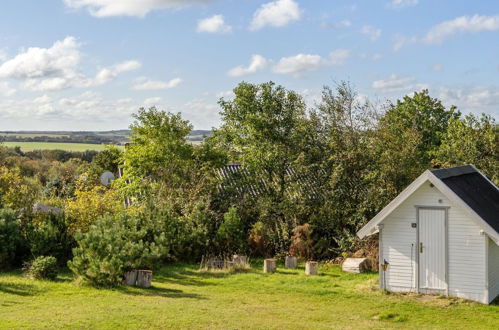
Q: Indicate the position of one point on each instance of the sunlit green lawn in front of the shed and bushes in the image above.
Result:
(183, 297)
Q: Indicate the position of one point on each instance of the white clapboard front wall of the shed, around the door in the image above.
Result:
(466, 257)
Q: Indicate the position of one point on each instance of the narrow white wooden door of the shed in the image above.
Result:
(432, 254)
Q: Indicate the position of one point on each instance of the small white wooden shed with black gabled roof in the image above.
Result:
(441, 235)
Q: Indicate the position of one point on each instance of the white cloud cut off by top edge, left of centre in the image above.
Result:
(139, 8)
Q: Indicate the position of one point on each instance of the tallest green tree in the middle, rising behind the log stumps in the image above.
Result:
(263, 127)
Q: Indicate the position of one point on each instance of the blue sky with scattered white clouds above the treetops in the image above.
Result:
(89, 64)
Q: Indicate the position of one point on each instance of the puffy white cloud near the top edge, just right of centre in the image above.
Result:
(277, 13)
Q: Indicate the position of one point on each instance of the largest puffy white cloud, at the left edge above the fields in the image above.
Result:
(58, 67)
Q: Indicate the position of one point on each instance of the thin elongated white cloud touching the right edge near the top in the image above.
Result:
(473, 24)
